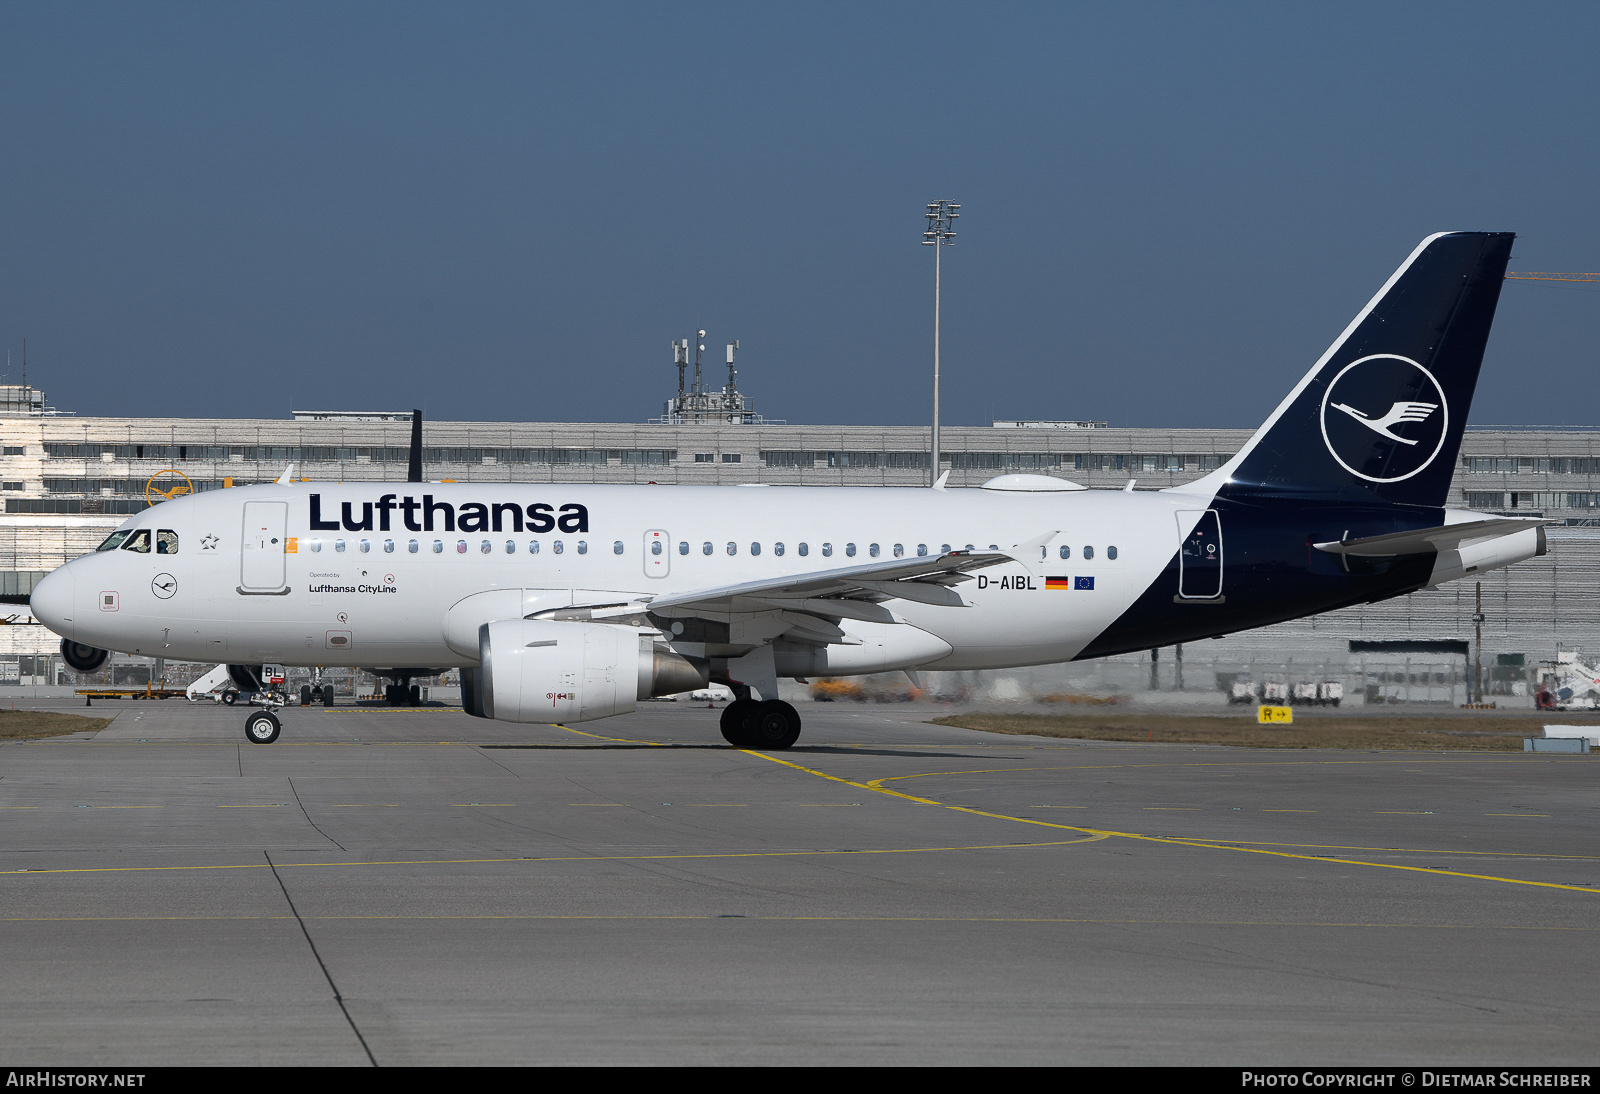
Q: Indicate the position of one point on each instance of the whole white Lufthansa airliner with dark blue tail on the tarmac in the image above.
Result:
(566, 604)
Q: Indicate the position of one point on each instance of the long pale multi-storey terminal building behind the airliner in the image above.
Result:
(68, 481)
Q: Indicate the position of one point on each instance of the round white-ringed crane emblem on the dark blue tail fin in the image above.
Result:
(1385, 418)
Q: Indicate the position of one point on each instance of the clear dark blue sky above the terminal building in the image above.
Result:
(506, 212)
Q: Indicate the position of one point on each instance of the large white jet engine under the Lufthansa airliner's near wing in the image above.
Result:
(548, 671)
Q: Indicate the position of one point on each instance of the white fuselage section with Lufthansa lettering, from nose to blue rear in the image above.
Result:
(382, 597)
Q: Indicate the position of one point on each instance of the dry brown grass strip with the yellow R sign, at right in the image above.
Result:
(1406, 733)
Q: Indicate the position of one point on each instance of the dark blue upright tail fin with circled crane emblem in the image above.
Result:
(1380, 417)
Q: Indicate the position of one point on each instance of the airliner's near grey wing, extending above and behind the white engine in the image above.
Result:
(854, 593)
